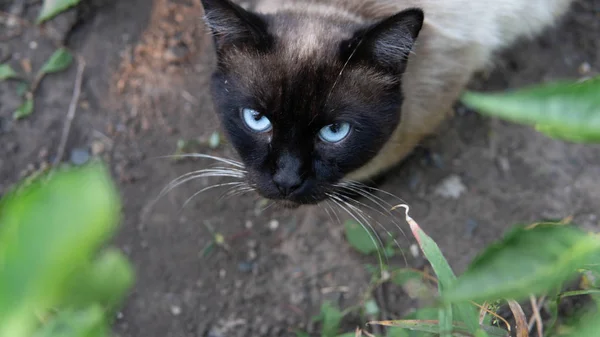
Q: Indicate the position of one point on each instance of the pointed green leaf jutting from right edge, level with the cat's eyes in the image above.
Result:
(566, 110)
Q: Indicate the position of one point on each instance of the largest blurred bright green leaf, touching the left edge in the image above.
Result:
(48, 230)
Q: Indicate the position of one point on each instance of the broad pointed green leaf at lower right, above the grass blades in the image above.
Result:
(525, 262)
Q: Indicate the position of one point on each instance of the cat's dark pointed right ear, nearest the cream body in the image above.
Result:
(386, 44)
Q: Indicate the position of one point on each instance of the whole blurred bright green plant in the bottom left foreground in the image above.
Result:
(56, 280)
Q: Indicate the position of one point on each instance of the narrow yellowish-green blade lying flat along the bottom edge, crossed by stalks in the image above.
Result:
(433, 326)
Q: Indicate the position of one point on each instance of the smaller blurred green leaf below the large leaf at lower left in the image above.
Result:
(105, 282)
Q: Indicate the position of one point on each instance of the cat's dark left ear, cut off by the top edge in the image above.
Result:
(232, 25)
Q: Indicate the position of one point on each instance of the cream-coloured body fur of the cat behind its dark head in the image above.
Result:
(458, 39)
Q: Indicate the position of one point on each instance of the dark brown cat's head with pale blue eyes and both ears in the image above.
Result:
(307, 100)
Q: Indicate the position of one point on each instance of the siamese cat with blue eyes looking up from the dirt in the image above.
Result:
(315, 93)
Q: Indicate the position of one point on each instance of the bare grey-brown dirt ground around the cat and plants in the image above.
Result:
(145, 88)
